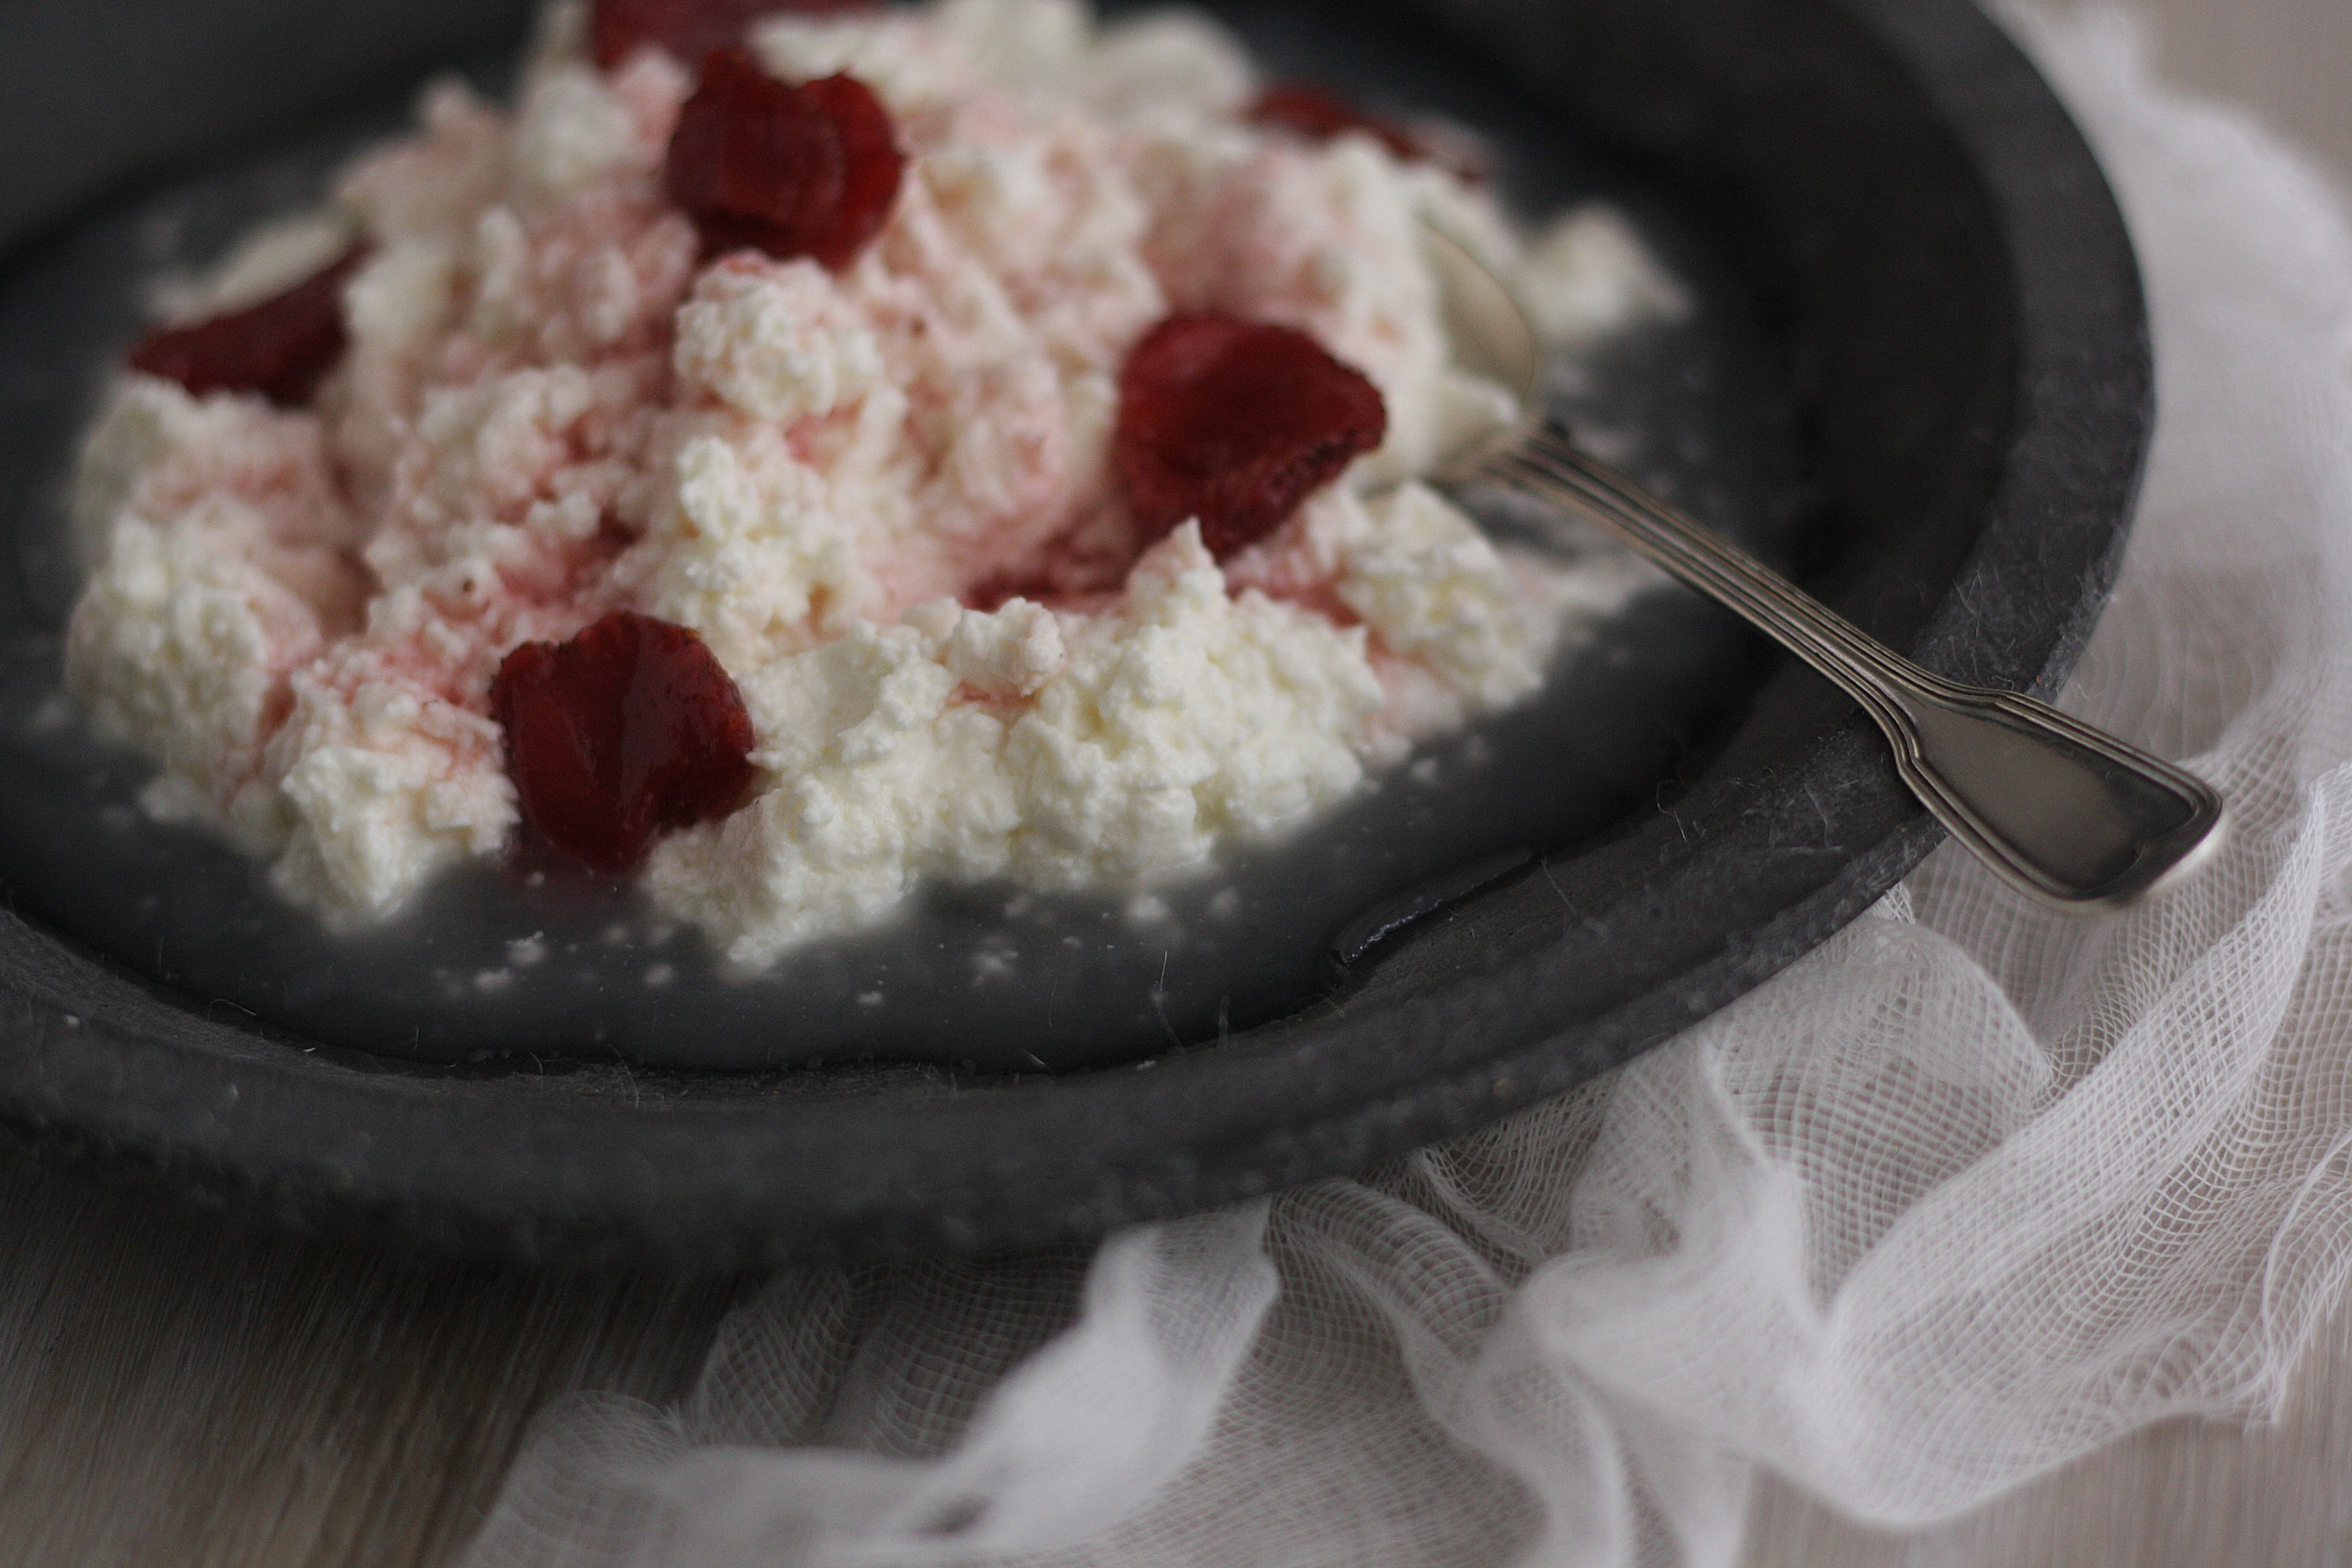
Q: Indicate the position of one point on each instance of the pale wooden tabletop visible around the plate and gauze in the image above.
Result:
(213, 1395)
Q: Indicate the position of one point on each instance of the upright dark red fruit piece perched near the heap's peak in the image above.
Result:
(784, 170)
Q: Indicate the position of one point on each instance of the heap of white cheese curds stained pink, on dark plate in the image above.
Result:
(552, 406)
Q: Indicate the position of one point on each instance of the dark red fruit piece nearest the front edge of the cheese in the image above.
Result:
(624, 732)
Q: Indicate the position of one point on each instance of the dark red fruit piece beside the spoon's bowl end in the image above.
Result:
(1236, 424)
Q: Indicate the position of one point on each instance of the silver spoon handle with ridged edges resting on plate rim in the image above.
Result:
(2064, 812)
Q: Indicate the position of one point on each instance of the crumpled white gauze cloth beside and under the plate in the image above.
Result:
(1953, 1200)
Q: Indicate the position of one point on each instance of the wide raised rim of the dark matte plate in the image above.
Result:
(1953, 295)
